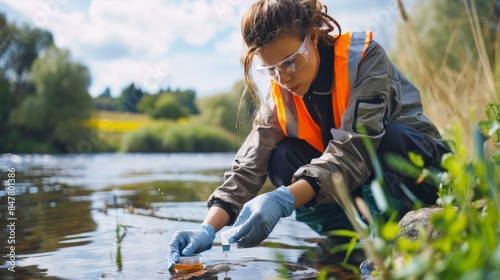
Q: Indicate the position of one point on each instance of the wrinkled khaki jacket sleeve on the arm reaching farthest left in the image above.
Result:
(249, 168)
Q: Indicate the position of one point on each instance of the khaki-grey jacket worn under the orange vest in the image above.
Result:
(381, 94)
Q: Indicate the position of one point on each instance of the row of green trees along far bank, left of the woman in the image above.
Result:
(44, 96)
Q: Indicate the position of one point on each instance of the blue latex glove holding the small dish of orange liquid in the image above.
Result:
(190, 242)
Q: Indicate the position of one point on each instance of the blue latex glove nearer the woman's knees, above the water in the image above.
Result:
(260, 215)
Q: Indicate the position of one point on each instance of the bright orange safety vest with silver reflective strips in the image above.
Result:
(293, 116)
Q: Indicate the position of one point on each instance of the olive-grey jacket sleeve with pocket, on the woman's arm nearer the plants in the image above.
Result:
(374, 98)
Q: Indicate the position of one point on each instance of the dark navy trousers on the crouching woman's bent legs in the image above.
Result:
(399, 139)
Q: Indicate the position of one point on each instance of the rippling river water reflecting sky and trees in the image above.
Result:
(111, 216)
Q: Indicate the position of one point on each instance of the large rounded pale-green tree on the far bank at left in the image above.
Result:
(61, 101)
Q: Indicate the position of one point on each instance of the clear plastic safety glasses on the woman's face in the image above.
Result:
(289, 65)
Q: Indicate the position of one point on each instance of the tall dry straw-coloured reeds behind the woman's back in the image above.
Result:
(459, 88)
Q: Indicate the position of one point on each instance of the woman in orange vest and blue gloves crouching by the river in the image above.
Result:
(327, 92)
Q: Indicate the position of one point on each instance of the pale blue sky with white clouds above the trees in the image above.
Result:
(186, 44)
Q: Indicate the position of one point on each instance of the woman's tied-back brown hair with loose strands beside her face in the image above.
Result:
(268, 19)
